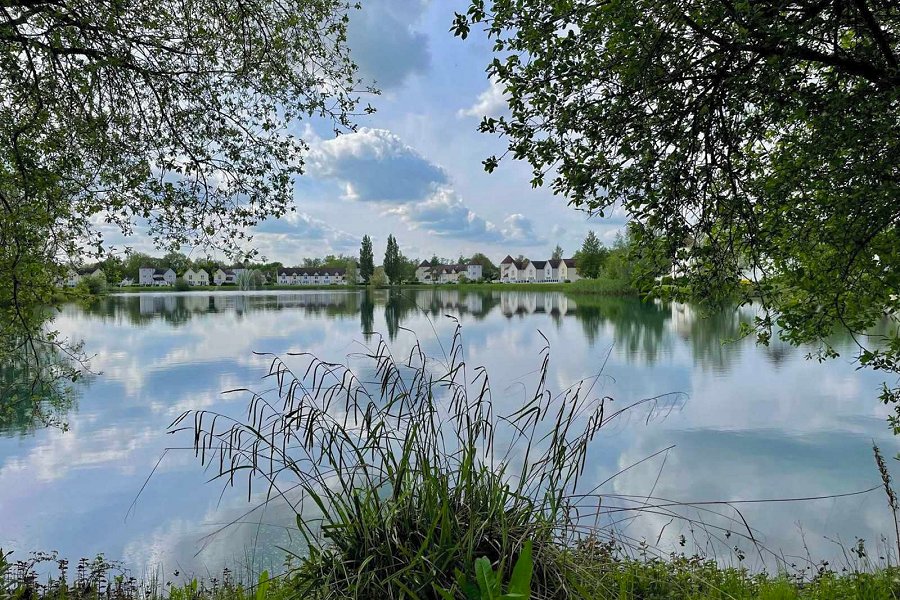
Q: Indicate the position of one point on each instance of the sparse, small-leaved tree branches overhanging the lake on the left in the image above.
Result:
(167, 115)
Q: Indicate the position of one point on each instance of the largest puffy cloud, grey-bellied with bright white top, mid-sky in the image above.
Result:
(375, 165)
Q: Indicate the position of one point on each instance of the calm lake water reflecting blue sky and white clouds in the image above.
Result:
(747, 423)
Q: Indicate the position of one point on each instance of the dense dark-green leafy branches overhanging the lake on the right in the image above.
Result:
(755, 141)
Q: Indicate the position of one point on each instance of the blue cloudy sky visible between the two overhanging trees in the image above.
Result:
(413, 169)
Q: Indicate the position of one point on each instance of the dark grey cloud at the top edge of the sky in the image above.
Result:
(384, 44)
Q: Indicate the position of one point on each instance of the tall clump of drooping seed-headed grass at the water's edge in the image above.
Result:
(408, 473)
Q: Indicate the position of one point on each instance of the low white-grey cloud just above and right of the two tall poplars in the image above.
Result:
(445, 214)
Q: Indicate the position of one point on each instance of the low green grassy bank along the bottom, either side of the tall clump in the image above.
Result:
(677, 578)
